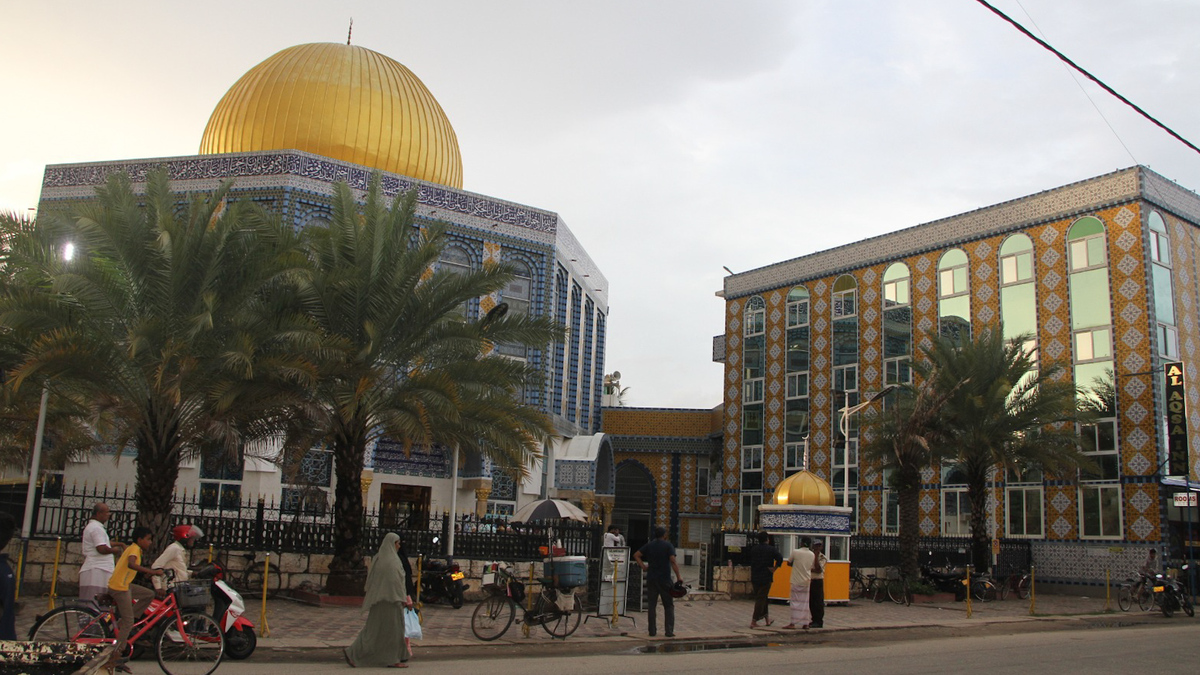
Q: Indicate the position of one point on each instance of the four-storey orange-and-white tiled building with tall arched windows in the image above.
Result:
(1102, 272)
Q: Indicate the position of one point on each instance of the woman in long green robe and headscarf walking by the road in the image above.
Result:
(389, 590)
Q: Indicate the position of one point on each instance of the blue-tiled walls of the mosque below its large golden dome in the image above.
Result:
(555, 277)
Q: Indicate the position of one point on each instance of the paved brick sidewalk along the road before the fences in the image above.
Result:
(295, 626)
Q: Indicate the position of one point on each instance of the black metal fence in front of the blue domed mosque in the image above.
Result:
(260, 525)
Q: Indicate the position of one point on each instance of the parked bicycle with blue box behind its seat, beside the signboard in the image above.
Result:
(554, 610)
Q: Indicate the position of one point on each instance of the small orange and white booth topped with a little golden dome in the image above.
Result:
(803, 506)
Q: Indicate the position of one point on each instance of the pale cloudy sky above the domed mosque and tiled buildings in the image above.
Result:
(675, 139)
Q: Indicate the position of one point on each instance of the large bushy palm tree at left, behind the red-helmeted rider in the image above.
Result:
(164, 325)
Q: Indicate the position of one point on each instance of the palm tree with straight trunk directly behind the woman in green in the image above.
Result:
(400, 361)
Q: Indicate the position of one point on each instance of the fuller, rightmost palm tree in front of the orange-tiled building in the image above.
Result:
(1010, 414)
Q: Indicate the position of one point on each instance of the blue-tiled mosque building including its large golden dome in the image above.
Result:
(315, 115)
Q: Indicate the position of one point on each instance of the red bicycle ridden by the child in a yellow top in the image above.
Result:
(187, 643)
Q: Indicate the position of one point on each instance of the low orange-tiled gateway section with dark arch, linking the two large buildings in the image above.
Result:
(668, 470)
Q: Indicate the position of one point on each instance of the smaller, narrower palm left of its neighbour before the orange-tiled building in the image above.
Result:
(902, 440)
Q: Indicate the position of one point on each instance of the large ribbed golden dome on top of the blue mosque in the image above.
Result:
(343, 103)
